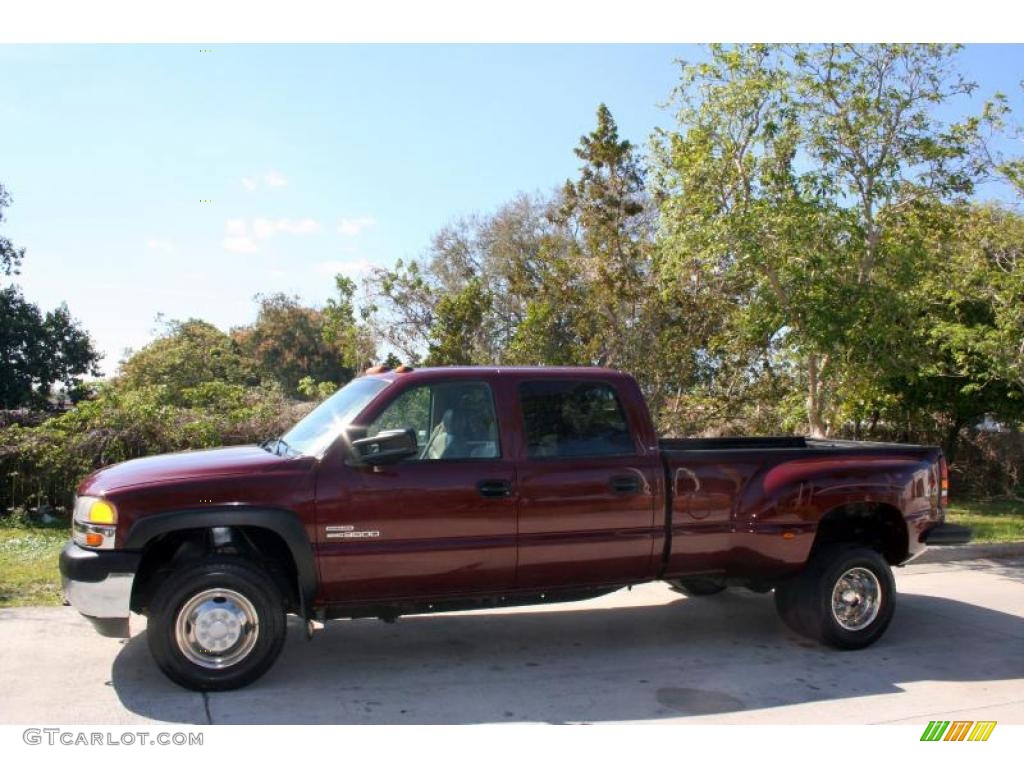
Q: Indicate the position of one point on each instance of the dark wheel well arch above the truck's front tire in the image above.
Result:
(168, 551)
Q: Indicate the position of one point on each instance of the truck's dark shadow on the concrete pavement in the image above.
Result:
(584, 663)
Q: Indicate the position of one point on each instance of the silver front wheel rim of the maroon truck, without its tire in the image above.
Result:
(217, 628)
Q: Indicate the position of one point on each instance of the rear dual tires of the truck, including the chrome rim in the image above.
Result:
(845, 598)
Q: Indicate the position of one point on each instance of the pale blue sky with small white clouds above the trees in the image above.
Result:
(182, 182)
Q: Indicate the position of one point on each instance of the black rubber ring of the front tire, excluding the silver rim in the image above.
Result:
(233, 574)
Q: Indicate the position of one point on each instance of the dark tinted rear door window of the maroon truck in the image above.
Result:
(574, 418)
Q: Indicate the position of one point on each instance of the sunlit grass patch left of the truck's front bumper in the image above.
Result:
(29, 573)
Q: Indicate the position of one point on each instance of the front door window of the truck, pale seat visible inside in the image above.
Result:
(454, 420)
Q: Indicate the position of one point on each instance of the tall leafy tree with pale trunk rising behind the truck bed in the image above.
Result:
(789, 168)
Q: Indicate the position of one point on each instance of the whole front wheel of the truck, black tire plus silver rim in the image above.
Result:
(238, 625)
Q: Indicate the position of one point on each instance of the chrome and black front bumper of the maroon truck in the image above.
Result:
(99, 584)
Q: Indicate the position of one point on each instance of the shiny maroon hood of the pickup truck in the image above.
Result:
(186, 465)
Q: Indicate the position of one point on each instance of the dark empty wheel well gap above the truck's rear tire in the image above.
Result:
(878, 526)
